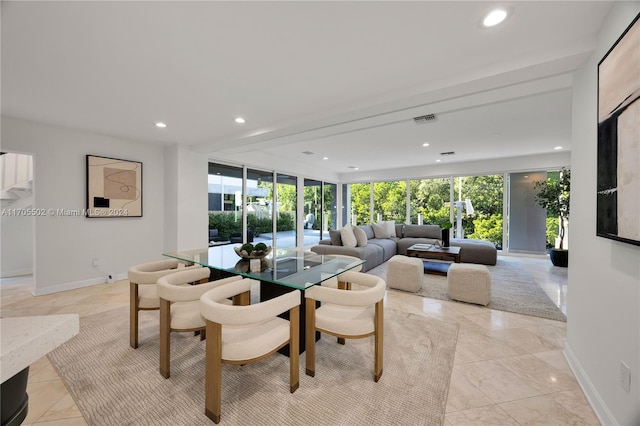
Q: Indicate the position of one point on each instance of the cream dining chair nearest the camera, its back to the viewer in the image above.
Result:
(244, 334)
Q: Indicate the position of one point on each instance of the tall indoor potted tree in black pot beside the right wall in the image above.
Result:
(553, 195)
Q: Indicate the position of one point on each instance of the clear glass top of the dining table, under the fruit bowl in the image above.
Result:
(292, 268)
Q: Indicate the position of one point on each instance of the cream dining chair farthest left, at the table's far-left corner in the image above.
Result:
(143, 295)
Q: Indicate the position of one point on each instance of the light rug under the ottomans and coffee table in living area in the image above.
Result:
(512, 290)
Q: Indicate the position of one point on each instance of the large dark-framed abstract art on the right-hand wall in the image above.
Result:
(618, 180)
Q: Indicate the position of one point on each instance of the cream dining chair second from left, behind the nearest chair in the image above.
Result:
(179, 295)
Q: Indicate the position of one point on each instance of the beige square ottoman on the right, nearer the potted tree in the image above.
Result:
(469, 283)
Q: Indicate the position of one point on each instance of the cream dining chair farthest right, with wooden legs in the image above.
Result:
(353, 314)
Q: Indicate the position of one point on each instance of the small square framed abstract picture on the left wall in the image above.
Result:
(114, 187)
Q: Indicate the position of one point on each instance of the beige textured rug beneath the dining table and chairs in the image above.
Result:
(114, 384)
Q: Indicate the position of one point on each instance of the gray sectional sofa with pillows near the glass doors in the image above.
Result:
(378, 250)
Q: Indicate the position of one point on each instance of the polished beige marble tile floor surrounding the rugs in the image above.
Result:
(509, 369)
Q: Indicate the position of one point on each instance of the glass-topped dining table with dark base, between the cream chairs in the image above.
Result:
(282, 271)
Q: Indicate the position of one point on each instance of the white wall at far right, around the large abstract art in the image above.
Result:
(603, 302)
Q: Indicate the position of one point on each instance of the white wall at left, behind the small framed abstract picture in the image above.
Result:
(65, 246)
